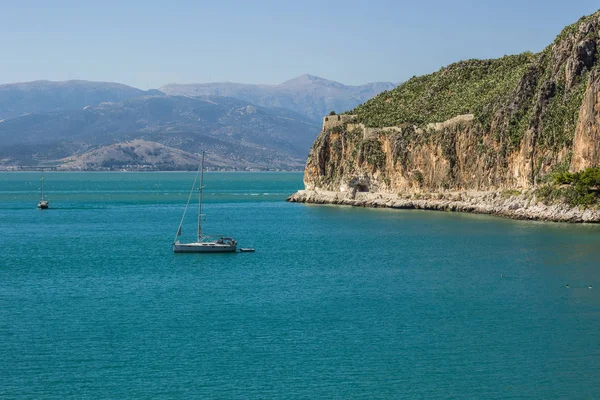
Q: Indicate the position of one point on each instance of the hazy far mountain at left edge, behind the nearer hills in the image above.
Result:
(45, 96)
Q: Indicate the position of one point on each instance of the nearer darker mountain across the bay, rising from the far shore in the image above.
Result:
(236, 133)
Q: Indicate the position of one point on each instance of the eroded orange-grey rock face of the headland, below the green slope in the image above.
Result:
(467, 154)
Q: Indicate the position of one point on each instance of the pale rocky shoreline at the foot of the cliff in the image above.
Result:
(504, 204)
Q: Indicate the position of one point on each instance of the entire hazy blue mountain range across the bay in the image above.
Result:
(95, 125)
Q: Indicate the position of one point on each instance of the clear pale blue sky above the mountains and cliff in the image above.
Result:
(147, 43)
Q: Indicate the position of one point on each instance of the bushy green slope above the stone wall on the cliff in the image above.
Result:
(467, 87)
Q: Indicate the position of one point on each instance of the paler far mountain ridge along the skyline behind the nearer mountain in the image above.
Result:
(308, 94)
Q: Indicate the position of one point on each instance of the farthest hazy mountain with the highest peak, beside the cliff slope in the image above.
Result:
(308, 95)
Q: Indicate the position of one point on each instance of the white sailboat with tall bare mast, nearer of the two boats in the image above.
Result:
(203, 244)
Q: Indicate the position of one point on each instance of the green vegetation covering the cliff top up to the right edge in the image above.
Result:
(541, 91)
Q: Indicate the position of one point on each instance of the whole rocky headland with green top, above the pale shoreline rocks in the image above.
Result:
(475, 125)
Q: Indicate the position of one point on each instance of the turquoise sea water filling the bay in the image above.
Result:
(336, 302)
